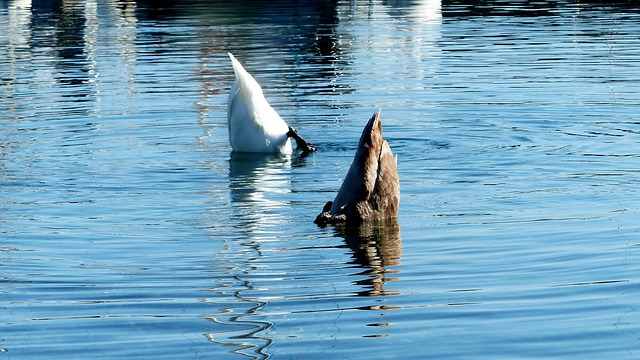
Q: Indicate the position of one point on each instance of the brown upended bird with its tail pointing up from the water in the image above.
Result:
(371, 190)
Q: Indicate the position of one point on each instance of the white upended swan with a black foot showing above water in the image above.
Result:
(254, 126)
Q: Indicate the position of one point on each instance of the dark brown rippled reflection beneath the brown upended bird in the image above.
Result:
(376, 247)
